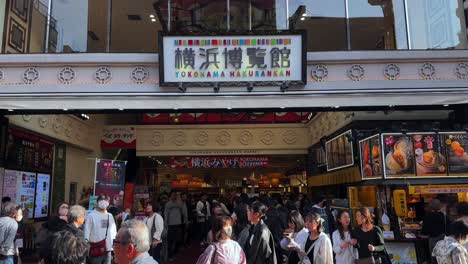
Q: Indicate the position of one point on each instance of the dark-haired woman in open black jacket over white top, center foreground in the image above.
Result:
(260, 246)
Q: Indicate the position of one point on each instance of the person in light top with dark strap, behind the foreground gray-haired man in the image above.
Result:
(155, 224)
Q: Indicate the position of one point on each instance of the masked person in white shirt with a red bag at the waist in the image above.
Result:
(100, 230)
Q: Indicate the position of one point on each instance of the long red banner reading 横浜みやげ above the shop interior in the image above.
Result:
(223, 162)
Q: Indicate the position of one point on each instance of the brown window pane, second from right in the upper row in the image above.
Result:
(371, 25)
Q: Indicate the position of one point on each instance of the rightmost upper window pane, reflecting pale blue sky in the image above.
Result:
(436, 24)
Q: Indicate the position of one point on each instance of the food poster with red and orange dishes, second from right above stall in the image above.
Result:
(430, 154)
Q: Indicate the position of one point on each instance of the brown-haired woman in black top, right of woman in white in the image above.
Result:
(368, 239)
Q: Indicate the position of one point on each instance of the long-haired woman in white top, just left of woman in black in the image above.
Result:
(344, 250)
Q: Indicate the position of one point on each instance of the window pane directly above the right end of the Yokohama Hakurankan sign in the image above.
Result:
(324, 21)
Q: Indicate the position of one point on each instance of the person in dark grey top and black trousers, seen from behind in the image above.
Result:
(175, 215)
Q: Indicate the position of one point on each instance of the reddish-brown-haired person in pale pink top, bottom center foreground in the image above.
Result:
(223, 250)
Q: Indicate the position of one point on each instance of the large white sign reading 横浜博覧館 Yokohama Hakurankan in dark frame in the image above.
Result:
(234, 60)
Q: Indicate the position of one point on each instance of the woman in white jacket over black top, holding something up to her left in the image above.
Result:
(317, 246)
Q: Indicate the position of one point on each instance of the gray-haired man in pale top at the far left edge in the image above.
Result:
(8, 228)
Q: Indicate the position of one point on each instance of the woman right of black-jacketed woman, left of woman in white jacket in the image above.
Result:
(296, 232)
